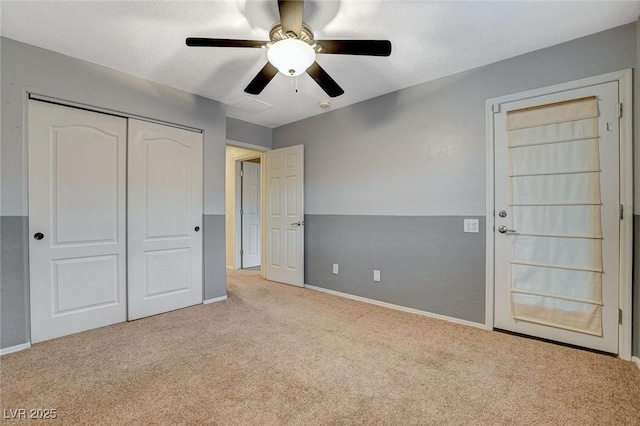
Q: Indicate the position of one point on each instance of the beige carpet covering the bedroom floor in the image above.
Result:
(276, 355)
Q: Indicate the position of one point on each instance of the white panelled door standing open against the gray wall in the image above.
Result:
(284, 222)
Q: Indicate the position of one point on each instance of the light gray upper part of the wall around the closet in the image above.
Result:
(26, 68)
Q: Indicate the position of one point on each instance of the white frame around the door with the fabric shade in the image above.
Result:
(625, 93)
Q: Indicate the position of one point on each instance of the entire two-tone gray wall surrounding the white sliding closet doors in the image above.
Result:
(28, 69)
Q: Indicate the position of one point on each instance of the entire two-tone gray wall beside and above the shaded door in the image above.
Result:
(416, 159)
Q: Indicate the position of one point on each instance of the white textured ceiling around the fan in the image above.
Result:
(430, 40)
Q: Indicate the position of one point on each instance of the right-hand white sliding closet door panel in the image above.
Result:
(165, 219)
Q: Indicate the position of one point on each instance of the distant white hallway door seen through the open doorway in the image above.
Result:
(250, 214)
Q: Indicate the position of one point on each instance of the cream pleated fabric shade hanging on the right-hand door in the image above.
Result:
(556, 252)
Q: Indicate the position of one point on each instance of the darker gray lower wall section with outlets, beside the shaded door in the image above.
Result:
(409, 252)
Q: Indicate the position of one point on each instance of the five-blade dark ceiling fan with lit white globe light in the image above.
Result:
(292, 50)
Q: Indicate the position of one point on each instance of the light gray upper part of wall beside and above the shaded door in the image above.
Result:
(421, 150)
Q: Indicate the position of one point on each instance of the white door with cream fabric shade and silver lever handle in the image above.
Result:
(557, 217)
